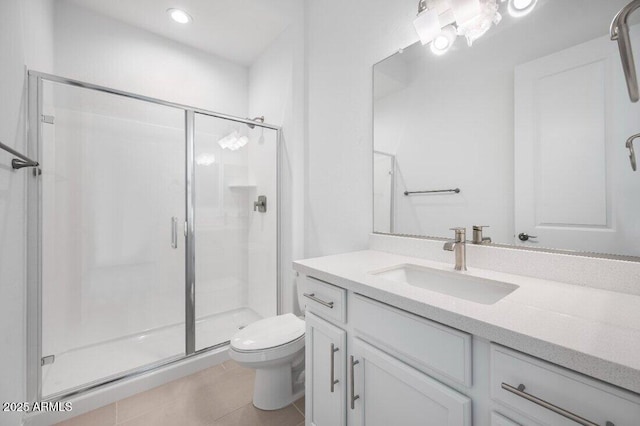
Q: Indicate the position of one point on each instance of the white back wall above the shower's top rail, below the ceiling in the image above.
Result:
(100, 50)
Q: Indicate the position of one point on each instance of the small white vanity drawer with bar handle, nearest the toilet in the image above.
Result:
(326, 300)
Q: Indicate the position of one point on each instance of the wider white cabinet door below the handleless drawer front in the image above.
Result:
(385, 391)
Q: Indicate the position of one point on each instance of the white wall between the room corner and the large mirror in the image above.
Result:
(344, 40)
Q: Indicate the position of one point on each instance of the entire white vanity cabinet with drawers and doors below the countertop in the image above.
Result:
(369, 363)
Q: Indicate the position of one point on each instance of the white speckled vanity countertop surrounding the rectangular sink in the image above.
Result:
(592, 331)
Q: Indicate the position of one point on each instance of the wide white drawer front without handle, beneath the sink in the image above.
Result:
(426, 345)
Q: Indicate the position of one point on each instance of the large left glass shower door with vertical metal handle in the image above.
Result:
(113, 247)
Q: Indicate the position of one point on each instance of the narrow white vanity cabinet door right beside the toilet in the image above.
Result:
(325, 376)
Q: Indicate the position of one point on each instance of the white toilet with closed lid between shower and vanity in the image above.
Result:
(274, 347)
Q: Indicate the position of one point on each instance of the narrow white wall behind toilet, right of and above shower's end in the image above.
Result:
(276, 90)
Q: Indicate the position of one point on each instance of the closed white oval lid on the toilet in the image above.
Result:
(269, 333)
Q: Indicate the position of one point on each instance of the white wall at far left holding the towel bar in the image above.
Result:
(20, 46)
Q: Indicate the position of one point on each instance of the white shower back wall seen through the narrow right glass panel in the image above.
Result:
(222, 220)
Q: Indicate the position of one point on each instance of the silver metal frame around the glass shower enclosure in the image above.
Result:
(34, 233)
